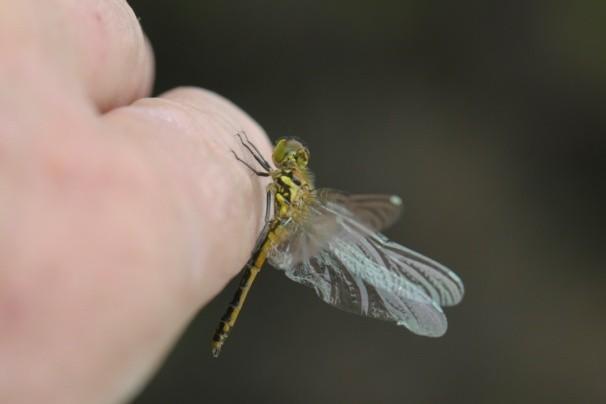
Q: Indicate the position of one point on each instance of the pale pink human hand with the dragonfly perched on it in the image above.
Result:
(120, 216)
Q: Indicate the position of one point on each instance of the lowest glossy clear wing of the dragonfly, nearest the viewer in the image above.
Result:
(344, 276)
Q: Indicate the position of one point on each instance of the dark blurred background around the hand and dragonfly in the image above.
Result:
(488, 118)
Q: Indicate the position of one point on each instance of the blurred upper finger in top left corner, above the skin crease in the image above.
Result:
(94, 48)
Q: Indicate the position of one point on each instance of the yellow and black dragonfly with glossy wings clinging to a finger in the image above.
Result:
(330, 241)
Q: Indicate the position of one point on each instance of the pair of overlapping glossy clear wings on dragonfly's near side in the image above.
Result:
(353, 268)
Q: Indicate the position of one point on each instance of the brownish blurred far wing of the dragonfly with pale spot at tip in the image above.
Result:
(375, 211)
